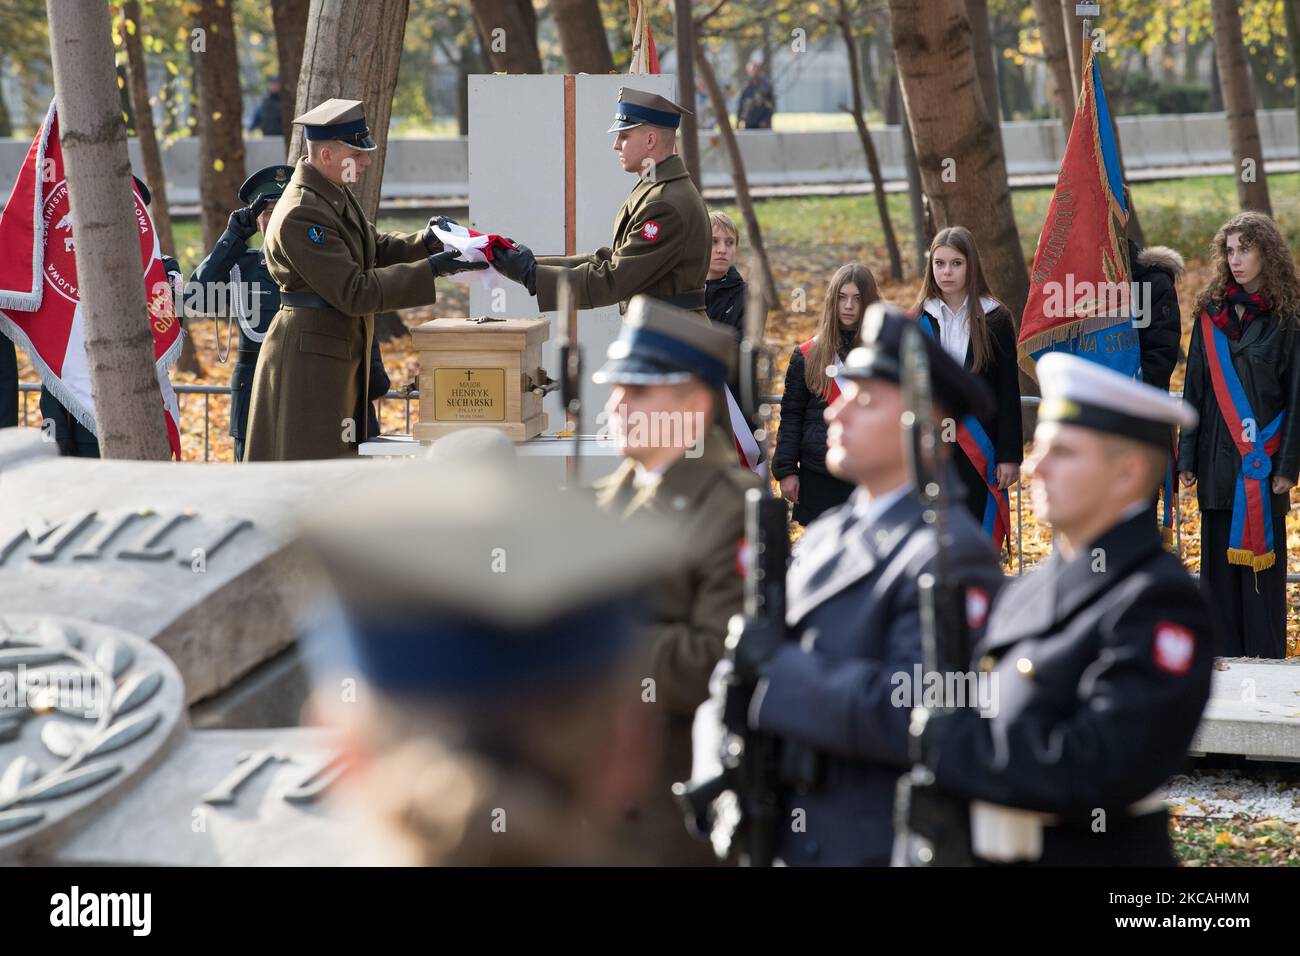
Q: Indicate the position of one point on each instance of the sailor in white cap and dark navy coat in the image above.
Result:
(1103, 656)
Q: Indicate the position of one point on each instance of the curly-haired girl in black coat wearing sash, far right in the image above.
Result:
(1243, 379)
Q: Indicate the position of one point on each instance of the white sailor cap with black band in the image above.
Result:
(1077, 392)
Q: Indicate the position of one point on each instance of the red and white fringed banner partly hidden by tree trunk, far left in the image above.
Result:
(40, 299)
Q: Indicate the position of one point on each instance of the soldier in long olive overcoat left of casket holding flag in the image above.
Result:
(335, 271)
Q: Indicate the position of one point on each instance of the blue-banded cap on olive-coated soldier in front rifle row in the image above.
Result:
(662, 345)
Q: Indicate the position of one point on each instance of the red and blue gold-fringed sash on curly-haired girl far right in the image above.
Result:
(1251, 540)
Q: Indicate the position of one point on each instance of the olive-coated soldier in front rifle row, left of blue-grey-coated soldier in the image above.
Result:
(668, 371)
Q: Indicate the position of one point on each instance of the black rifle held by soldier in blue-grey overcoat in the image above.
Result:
(742, 807)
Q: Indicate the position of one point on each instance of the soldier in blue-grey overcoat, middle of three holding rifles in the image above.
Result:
(853, 608)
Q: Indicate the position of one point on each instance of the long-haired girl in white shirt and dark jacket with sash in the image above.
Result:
(957, 308)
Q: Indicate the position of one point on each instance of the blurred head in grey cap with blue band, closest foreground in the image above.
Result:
(492, 628)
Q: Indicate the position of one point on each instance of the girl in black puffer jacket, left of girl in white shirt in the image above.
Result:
(800, 461)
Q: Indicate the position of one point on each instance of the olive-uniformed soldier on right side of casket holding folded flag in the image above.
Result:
(661, 236)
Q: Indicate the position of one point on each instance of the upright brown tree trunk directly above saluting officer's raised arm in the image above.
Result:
(222, 150)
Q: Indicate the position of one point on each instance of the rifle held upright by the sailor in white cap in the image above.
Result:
(933, 828)
